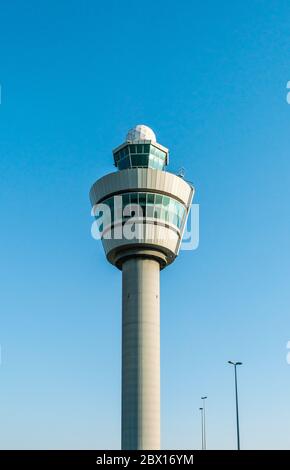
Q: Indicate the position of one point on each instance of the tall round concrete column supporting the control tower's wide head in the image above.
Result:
(141, 354)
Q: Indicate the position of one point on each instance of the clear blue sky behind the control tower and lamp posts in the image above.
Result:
(210, 78)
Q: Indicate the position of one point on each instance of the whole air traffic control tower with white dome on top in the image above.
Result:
(142, 211)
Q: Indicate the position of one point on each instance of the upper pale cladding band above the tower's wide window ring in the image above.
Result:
(141, 179)
